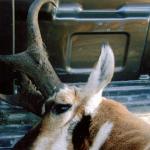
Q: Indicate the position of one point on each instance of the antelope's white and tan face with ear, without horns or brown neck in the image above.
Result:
(68, 106)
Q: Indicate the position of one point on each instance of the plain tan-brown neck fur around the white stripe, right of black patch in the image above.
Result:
(129, 132)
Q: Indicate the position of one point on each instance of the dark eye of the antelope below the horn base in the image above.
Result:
(60, 108)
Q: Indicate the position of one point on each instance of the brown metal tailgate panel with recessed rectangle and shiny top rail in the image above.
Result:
(79, 34)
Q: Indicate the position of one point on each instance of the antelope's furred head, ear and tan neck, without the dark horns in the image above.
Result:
(96, 123)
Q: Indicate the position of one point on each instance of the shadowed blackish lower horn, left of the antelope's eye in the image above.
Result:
(28, 98)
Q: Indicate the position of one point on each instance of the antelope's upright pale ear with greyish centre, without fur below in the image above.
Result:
(103, 71)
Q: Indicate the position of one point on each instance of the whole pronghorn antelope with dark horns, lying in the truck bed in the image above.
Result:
(72, 117)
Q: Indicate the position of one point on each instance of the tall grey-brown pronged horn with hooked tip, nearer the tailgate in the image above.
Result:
(34, 61)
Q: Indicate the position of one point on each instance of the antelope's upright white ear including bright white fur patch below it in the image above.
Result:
(99, 78)
